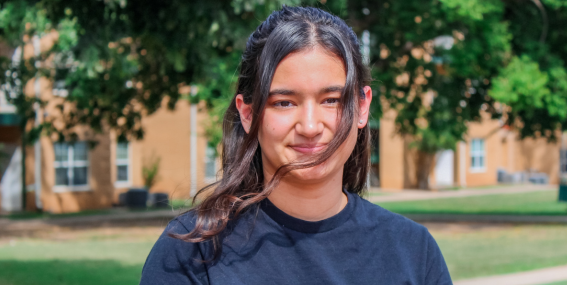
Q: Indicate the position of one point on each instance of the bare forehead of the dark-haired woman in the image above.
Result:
(309, 70)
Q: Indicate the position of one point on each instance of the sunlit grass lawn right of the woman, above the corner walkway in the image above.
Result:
(500, 250)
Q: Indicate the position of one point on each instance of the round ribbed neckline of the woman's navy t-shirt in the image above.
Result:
(303, 226)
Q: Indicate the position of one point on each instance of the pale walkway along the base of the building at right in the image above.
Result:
(411, 195)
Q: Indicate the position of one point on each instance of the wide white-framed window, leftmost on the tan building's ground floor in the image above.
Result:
(71, 164)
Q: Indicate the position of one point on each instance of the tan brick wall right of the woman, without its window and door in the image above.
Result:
(503, 150)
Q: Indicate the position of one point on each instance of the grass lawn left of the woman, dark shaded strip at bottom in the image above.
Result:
(112, 260)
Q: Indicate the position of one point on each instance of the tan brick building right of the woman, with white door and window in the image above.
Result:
(487, 150)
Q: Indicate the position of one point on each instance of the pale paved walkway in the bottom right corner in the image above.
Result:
(535, 277)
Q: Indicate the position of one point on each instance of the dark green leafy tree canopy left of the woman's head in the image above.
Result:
(119, 59)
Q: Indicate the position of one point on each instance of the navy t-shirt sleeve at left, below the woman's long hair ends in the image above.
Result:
(173, 261)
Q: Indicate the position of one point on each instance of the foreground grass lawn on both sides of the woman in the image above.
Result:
(117, 257)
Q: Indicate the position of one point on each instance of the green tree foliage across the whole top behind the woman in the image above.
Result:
(440, 64)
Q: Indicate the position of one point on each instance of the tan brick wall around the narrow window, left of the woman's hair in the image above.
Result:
(168, 137)
